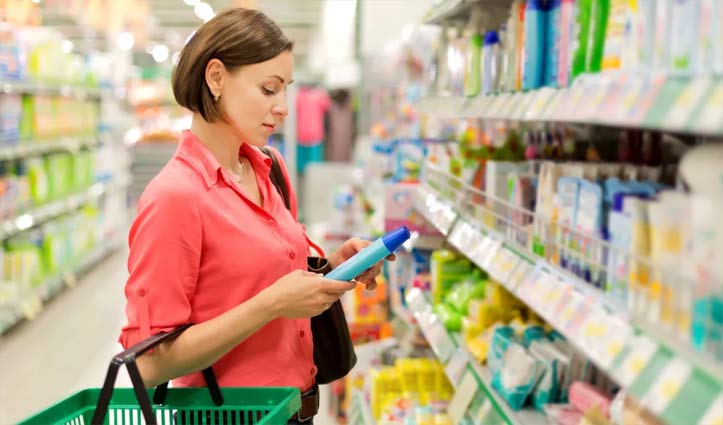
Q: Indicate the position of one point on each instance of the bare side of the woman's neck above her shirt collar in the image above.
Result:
(220, 139)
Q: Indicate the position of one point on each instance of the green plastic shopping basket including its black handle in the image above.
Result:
(132, 406)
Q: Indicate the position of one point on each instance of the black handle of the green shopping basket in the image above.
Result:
(128, 358)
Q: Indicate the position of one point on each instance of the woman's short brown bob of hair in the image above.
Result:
(236, 37)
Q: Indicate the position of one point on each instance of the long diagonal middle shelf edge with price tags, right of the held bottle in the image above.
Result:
(639, 355)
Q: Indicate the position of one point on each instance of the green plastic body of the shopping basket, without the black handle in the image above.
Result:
(257, 406)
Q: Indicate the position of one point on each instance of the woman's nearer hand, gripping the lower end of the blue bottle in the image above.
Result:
(302, 294)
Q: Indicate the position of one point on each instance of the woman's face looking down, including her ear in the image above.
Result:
(254, 97)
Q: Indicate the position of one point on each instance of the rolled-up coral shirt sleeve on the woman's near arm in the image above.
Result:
(165, 251)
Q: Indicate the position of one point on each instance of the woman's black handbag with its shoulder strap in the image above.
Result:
(334, 354)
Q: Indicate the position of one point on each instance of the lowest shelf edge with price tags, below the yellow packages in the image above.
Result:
(452, 352)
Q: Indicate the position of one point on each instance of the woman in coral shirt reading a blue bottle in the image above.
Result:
(213, 243)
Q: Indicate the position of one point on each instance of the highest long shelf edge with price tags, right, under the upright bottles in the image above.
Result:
(672, 104)
